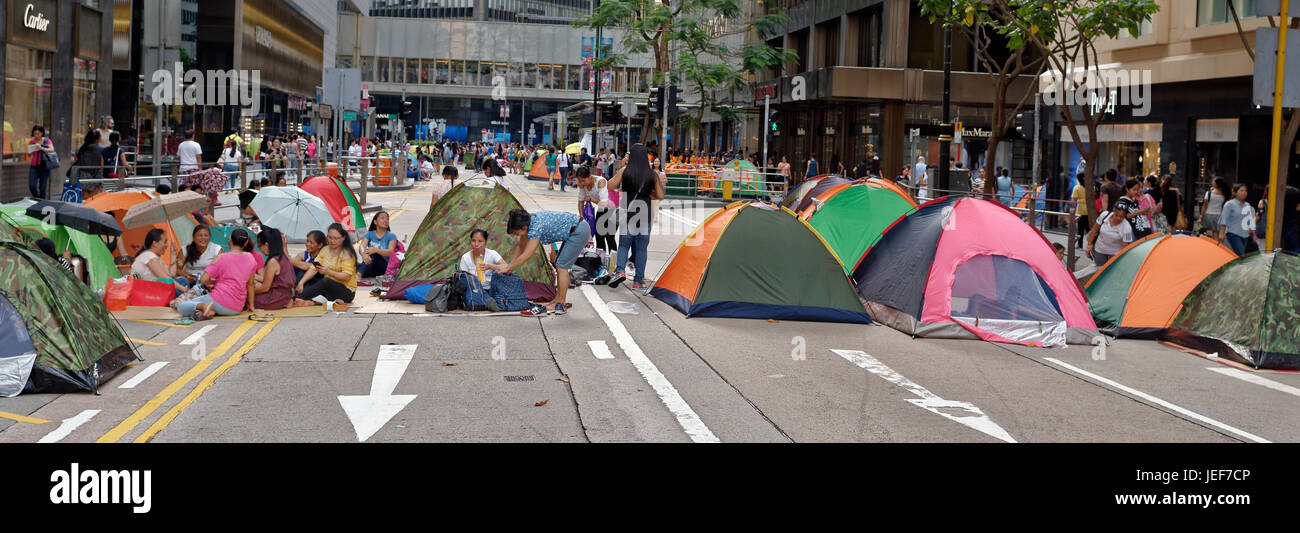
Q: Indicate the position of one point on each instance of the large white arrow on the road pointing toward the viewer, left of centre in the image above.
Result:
(371, 413)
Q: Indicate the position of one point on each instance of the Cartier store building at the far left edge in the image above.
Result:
(57, 57)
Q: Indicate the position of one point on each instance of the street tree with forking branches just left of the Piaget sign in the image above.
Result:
(1067, 33)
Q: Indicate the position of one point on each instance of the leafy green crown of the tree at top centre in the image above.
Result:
(684, 44)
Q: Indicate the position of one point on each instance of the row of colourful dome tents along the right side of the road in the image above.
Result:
(857, 252)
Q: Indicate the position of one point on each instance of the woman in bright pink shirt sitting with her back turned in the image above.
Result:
(231, 279)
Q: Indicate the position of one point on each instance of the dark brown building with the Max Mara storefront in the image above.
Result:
(868, 86)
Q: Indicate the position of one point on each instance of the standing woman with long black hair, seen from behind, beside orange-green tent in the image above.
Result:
(640, 185)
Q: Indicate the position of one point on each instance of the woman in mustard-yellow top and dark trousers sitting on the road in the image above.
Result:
(333, 279)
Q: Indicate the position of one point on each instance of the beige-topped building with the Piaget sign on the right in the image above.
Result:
(1199, 122)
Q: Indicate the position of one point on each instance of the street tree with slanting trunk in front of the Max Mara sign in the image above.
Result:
(989, 25)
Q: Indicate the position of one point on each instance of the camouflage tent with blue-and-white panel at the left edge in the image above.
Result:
(53, 344)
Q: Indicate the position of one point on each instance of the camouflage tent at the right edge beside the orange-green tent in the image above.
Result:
(1246, 311)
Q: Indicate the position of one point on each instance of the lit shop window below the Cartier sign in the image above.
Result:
(27, 103)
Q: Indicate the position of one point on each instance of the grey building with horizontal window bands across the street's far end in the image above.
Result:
(444, 59)
